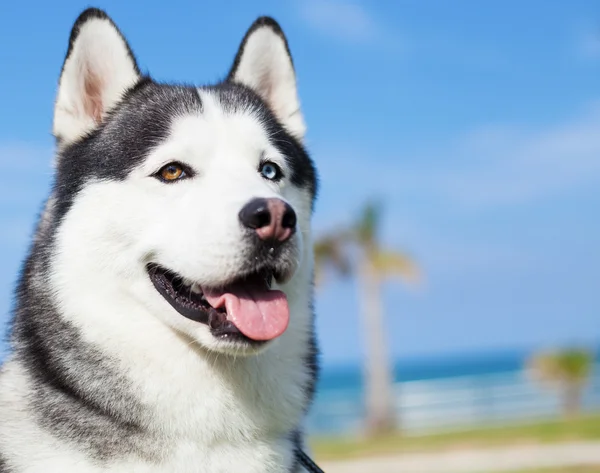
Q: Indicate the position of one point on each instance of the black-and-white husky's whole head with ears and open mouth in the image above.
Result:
(194, 202)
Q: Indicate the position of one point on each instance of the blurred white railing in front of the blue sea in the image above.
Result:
(450, 403)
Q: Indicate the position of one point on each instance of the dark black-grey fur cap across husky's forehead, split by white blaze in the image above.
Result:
(143, 119)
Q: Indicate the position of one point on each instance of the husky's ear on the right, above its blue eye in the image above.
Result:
(264, 64)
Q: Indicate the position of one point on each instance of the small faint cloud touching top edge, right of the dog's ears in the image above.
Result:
(345, 20)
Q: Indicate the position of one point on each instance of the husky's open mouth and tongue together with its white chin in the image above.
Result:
(219, 312)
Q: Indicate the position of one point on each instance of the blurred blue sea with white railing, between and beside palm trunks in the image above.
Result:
(443, 393)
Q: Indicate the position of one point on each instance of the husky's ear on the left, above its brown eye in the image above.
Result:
(98, 69)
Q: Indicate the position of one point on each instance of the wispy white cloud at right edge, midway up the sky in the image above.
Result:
(527, 166)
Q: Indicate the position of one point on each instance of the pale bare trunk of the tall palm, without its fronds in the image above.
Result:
(381, 415)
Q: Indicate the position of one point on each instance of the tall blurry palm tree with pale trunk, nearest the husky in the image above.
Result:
(371, 264)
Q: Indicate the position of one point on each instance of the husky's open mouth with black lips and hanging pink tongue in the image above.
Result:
(246, 310)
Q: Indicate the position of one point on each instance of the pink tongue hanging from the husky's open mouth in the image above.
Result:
(258, 313)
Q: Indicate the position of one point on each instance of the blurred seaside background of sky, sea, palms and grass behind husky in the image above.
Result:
(458, 230)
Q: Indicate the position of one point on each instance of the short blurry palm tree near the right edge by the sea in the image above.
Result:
(567, 370)
